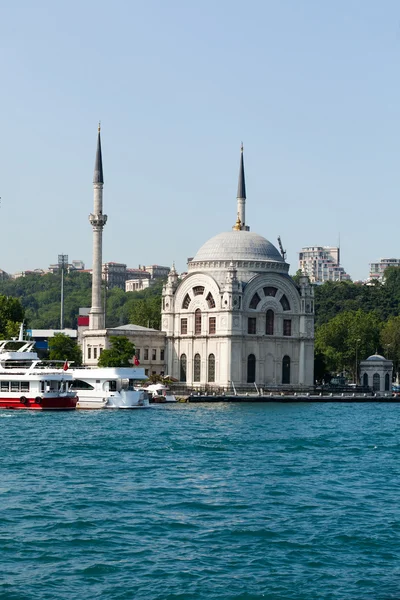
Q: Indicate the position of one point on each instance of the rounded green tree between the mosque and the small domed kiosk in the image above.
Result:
(344, 336)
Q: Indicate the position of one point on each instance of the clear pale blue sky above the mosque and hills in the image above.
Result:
(311, 88)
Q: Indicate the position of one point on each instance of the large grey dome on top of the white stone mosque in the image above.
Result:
(238, 246)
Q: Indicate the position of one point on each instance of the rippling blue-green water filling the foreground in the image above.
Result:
(242, 501)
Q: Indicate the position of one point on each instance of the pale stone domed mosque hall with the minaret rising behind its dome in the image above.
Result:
(237, 317)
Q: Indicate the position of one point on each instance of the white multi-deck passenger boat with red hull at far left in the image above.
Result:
(27, 383)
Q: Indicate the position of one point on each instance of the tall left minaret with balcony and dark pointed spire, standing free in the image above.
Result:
(97, 221)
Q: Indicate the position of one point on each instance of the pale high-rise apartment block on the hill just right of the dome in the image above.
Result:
(322, 263)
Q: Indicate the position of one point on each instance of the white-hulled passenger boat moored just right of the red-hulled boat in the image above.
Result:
(109, 387)
